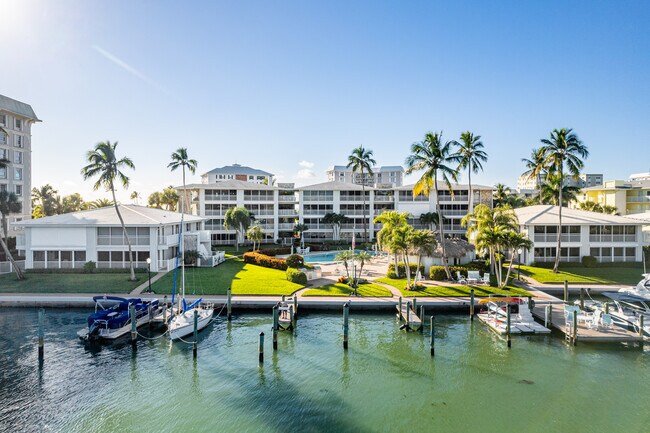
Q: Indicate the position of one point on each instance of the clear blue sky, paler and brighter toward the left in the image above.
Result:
(292, 87)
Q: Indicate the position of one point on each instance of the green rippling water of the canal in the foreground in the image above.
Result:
(386, 382)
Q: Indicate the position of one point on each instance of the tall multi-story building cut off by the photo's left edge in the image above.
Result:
(16, 119)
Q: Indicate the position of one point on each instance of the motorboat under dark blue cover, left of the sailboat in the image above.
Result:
(112, 316)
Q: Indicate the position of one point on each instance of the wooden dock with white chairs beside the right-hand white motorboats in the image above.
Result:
(614, 334)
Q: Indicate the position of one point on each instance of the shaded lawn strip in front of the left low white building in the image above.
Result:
(70, 283)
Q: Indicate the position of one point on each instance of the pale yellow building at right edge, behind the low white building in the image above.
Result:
(629, 197)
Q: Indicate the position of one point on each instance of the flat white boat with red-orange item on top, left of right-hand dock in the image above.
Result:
(521, 319)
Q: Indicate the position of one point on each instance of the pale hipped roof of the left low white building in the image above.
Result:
(133, 216)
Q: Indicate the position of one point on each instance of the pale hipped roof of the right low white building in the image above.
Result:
(548, 215)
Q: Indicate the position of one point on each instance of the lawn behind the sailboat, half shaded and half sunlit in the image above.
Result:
(245, 279)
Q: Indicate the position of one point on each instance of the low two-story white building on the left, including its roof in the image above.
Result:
(70, 240)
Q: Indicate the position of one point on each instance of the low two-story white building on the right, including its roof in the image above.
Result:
(608, 238)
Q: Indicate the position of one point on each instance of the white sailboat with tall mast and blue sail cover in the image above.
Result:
(181, 322)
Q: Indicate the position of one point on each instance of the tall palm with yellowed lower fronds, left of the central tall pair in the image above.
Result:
(434, 157)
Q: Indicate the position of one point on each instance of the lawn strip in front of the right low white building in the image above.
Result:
(581, 275)
